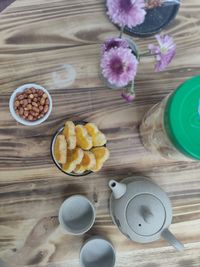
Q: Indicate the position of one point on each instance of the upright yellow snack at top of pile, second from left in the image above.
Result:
(70, 134)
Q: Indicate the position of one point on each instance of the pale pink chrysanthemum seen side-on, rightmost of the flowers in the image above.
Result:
(164, 52)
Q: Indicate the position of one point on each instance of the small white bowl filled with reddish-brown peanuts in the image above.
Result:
(30, 104)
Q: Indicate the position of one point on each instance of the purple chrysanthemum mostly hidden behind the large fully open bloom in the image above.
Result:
(114, 43)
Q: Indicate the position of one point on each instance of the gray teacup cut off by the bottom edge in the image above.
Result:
(97, 252)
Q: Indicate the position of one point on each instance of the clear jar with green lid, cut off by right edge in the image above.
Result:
(172, 127)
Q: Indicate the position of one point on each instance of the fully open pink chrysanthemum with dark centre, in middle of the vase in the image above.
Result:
(119, 66)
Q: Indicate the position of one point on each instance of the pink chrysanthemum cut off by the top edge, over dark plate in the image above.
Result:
(126, 12)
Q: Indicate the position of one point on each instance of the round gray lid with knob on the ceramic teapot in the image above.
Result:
(145, 214)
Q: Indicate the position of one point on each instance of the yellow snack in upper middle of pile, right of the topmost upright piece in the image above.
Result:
(84, 140)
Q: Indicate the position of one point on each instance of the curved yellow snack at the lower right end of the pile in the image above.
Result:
(101, 154)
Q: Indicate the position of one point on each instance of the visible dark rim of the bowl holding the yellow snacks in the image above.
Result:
(52, 151)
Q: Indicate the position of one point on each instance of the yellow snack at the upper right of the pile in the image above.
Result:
(98, 138)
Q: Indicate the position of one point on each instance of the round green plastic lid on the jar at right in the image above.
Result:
(182, 118)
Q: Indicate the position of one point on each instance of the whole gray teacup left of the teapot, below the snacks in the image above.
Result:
(76, 215)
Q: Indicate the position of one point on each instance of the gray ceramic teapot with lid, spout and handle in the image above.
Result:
(142, 210)
